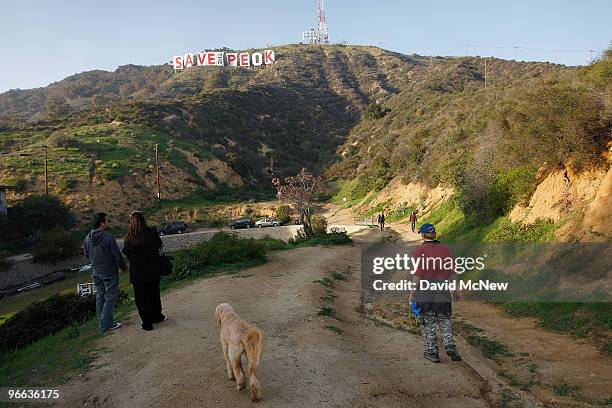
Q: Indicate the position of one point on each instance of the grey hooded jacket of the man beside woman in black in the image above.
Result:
(101, 248)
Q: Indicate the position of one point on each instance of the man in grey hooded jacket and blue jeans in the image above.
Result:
(105, 257)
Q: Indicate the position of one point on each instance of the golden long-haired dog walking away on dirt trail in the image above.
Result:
(237, 337)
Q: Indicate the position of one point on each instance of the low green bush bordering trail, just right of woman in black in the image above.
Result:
(222, 249)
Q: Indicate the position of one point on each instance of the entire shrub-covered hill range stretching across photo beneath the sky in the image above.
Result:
(367, 115)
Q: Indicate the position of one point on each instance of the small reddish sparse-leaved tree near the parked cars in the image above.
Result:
(300, 191)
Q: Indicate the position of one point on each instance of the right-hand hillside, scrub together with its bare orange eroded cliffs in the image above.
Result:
(536, 147)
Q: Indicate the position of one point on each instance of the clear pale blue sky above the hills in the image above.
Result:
(45, 41)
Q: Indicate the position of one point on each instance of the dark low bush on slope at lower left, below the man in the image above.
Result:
(44, 318)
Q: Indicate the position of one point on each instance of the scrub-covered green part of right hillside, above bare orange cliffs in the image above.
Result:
(487, 143)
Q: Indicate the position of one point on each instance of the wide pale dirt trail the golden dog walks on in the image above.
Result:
(179, 364)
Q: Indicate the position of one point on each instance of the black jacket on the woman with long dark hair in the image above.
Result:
(144, 259)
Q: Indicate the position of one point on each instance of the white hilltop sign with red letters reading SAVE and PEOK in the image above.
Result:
(221, 59)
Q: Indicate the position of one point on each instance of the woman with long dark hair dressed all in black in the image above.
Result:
(141, 246)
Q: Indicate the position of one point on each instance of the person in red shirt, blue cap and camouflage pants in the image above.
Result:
(435, 305)
